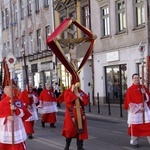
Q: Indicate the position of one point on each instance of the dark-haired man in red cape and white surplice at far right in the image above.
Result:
(137, 124)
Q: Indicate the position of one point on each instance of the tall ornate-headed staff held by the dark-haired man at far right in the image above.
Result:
(141, 50)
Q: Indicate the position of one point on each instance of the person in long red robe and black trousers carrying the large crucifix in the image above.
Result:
(70, 129)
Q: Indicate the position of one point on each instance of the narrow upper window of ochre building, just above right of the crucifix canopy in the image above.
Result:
(85, 12)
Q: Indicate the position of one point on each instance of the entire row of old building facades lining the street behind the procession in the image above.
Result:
(120, 27)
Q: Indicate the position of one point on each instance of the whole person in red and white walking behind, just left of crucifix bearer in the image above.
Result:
(48, 106)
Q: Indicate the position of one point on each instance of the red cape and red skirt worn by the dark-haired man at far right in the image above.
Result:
(134, 95)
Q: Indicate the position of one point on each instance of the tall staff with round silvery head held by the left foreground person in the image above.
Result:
(11, 60)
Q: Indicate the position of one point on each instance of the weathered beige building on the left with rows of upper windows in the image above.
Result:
(26, 25)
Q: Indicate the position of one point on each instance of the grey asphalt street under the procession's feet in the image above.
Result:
(104, 134)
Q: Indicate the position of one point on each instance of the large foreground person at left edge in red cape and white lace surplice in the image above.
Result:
(6, 117)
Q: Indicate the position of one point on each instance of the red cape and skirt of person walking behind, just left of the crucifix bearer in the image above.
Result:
(48, 96)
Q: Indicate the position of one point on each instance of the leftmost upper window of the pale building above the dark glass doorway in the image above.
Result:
(105, 21)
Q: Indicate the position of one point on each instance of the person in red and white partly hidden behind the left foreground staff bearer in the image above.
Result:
(29, 100)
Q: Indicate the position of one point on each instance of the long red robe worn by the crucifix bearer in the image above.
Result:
(69, 129)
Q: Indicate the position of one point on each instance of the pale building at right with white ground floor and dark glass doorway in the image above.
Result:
(121, 25)
